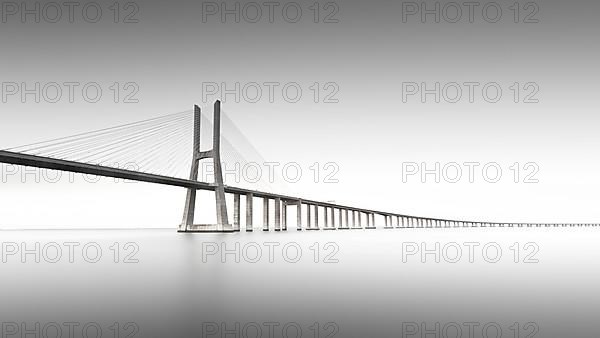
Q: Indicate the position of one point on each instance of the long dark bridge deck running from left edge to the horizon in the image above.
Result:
(98, 170)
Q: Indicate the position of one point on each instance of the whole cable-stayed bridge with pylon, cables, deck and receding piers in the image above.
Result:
(180, 136)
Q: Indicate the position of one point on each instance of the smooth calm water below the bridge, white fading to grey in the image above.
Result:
(360, 283)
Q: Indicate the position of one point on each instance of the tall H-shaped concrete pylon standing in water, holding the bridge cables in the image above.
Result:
(187, 224)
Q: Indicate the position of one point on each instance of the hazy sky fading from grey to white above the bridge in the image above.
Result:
(367, 60)
